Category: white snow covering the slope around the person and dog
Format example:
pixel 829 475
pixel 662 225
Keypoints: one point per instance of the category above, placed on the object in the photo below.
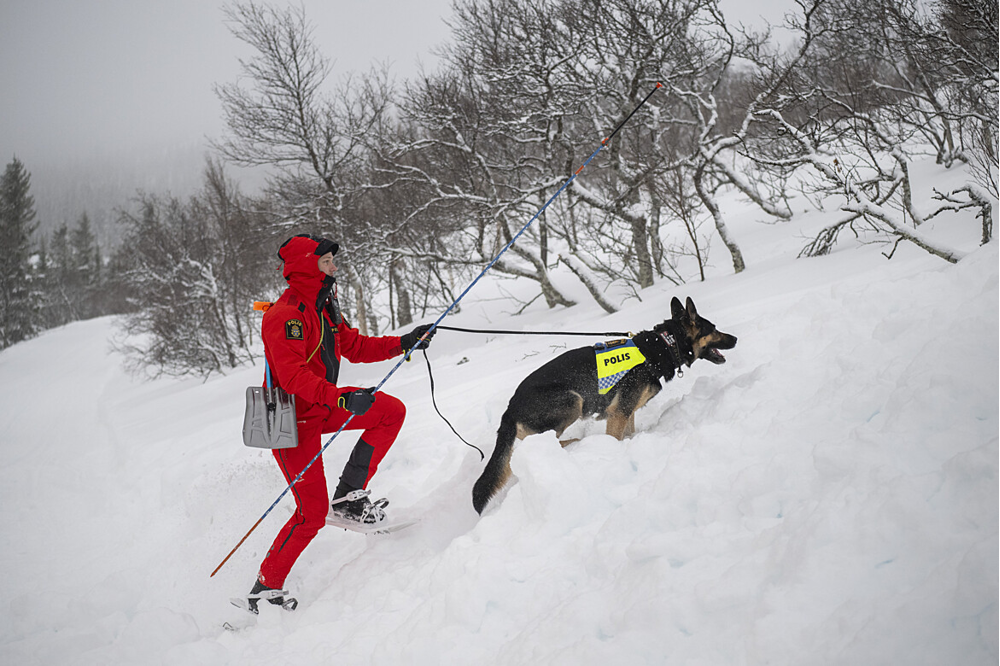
pixel 829 496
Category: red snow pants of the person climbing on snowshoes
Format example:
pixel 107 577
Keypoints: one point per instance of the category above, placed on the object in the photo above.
pixel 381 423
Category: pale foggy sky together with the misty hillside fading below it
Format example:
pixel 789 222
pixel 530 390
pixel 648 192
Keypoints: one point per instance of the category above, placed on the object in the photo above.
pixel 103 98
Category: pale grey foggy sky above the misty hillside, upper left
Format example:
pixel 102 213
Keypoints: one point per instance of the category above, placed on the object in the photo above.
pixel 82 79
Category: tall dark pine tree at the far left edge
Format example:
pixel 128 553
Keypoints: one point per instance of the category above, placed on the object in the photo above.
pixel 18 319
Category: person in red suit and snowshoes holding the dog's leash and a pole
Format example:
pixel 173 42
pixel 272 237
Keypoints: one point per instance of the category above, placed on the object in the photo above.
pixel 305 336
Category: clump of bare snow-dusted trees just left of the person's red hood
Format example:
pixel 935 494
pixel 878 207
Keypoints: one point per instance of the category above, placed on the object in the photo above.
pixel 192 270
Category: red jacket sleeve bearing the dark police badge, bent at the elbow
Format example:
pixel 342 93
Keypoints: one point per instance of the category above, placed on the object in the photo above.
pixel 287 354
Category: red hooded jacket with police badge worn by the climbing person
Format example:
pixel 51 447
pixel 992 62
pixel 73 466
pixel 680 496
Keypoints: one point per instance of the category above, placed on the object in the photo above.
pixel 302 345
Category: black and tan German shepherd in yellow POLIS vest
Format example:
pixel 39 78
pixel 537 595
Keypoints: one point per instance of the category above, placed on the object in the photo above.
pixel 565 389
